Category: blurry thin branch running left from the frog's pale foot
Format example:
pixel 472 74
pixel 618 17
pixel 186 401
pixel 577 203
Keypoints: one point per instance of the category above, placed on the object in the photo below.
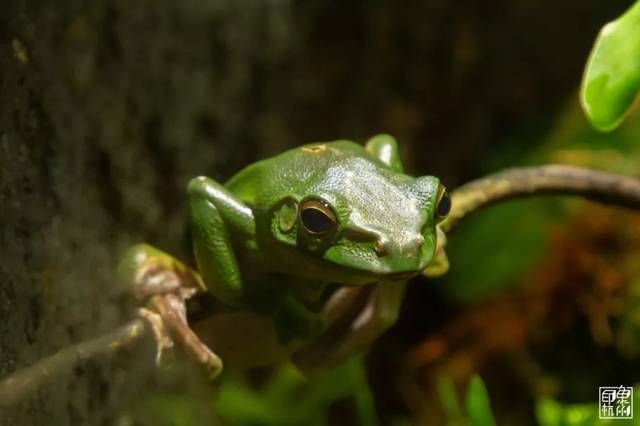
pixel 22 383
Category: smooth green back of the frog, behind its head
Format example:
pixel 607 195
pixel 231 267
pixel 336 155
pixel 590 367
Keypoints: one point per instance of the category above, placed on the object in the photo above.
pixel 292 169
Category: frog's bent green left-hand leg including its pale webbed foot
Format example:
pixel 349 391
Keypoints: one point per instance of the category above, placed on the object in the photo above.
pixel 166 283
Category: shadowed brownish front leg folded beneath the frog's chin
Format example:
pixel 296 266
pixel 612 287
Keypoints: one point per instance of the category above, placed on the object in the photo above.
pixel 380 311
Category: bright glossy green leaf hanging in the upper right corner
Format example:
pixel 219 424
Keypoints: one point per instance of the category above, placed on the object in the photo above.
pixel 612 75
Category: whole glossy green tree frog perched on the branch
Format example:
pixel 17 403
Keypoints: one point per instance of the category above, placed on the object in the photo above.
pixel 288 247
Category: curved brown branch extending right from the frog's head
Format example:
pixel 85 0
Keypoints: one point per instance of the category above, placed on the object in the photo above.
pixel 549 179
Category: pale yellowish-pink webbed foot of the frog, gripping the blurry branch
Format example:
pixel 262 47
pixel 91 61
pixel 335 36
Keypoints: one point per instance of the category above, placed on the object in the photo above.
pixel 165 284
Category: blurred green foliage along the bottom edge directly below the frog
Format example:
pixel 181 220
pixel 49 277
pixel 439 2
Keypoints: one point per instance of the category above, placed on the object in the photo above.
pixel 283 397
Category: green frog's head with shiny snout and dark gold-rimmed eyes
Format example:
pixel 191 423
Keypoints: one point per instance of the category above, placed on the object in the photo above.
pixel 366 220
